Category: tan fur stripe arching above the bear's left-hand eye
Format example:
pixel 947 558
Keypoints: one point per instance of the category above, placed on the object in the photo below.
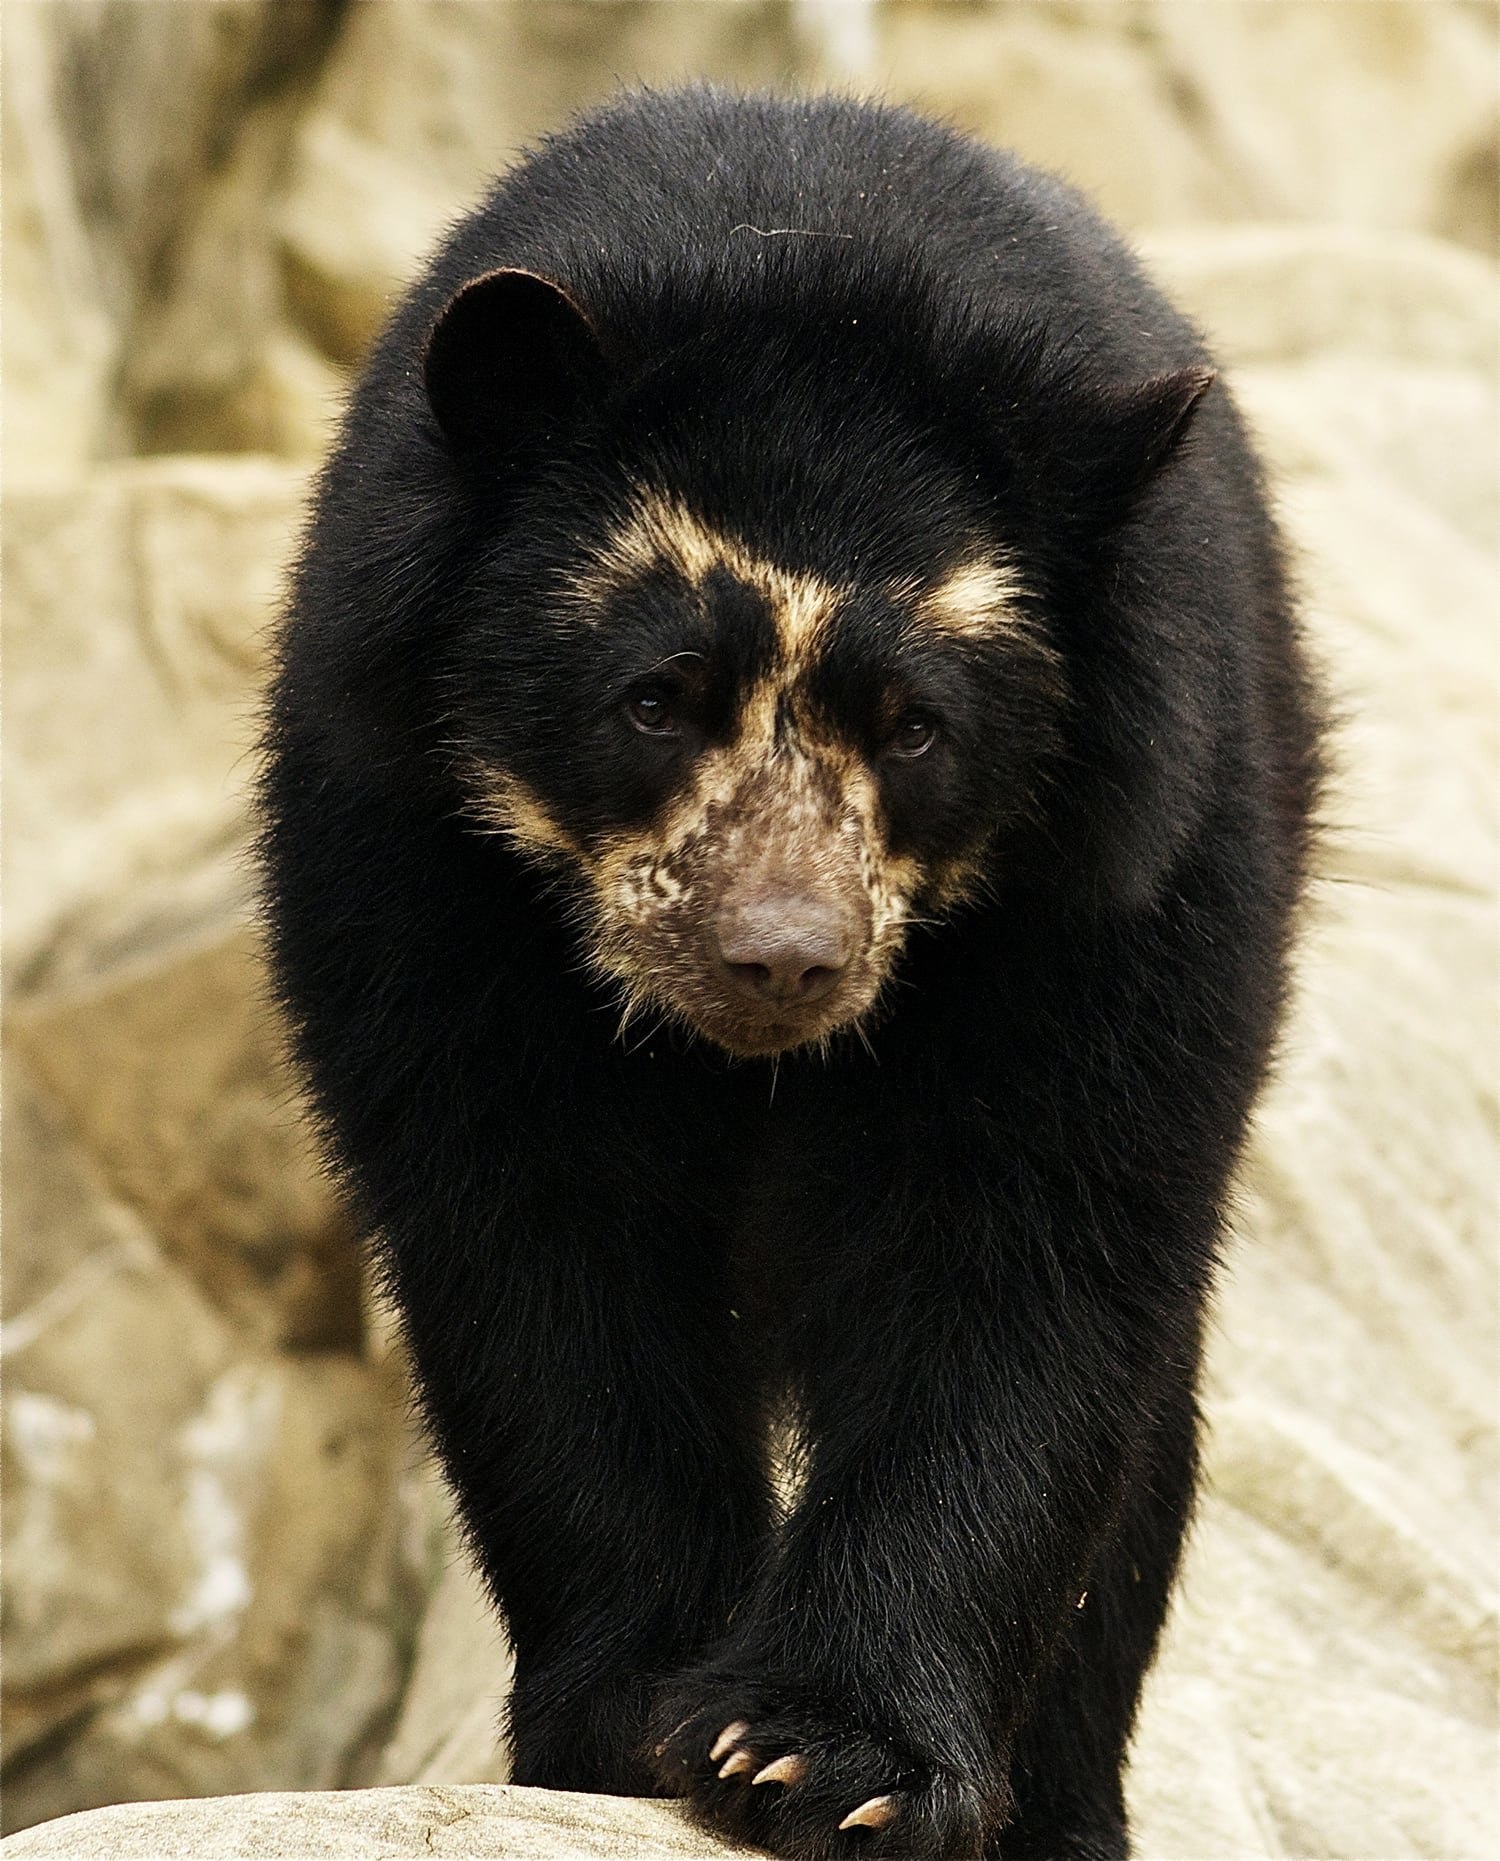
pixel 663 533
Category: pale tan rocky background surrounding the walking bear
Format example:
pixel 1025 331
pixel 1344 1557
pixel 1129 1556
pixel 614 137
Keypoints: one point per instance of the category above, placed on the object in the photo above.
pixel 226 1566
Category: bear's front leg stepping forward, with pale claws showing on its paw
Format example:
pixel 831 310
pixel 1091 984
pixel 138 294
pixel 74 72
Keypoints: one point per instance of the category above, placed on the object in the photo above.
pixel 980 1406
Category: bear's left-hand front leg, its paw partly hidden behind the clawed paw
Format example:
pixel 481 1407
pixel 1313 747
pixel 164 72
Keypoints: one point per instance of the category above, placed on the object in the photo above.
pixel 578 1365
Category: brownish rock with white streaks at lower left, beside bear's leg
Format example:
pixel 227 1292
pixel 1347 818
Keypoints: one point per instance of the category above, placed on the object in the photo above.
pixel 208 1570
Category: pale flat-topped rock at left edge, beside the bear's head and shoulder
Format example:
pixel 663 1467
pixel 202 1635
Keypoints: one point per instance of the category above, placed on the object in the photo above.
pixel 137 602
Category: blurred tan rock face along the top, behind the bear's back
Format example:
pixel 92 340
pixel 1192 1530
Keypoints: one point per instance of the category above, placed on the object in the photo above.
pixel 209 206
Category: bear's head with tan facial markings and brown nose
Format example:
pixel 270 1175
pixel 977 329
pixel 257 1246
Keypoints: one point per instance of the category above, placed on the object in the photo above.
pixel 745 660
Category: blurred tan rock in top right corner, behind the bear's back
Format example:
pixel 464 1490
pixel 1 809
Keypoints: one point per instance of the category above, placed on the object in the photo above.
pixel 1365 116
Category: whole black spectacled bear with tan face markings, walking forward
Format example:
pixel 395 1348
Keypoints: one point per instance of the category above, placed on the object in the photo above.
pixel 786 790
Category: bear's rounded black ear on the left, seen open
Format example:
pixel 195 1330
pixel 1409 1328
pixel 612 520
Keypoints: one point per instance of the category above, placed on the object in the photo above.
pixel 507 353
